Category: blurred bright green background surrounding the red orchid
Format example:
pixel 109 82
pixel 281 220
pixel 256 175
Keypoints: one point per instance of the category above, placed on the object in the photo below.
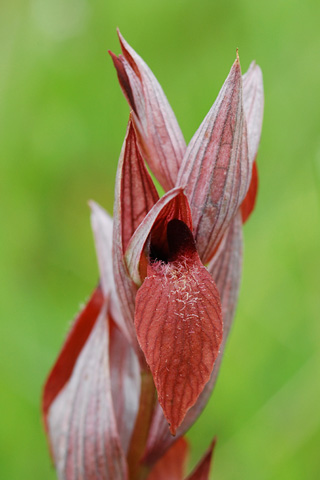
pixel 63 119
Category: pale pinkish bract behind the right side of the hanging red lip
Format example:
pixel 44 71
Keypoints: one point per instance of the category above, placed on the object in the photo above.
pixel 225 269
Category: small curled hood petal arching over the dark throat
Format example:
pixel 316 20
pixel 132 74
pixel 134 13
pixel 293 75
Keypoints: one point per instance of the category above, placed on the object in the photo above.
pixel 173 205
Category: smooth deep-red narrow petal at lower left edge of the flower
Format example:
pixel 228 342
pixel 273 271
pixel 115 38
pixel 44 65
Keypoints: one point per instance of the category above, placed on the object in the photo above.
pixel 71 349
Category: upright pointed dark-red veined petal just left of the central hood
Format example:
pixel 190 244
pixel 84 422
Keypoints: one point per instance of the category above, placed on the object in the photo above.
pixel 135 194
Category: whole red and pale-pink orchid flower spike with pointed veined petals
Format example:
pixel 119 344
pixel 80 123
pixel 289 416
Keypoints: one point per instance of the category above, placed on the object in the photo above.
pixel 142 357
